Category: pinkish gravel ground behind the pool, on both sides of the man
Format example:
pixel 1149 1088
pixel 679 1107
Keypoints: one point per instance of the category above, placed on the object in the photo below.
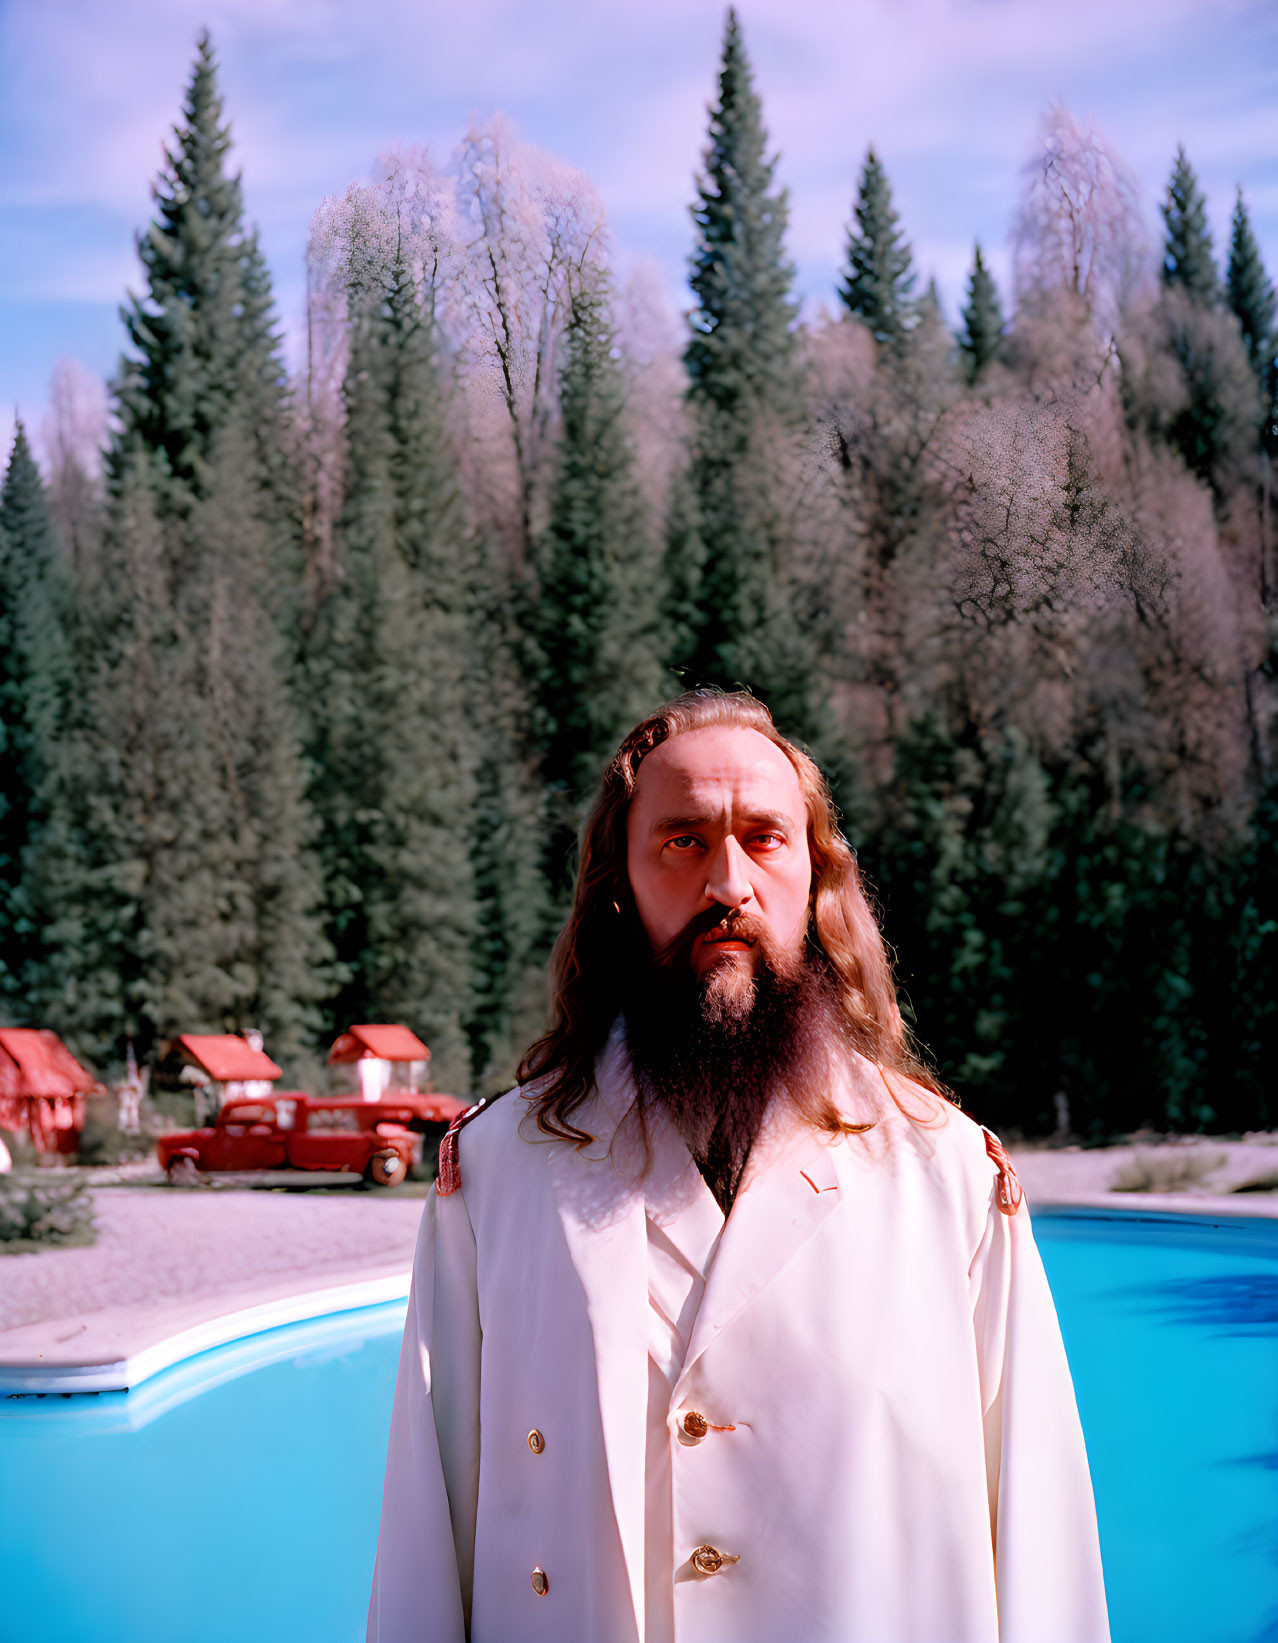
pixel 162 1246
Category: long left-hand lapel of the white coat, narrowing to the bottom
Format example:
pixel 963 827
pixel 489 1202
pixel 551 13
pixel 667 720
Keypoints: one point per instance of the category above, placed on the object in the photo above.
pixel 602 1208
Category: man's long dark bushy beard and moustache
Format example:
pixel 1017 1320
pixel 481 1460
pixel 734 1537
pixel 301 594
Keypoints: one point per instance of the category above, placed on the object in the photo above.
pixel 715 1051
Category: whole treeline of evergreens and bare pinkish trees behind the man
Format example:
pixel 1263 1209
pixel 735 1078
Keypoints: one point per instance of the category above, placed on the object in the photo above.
pixel 303 699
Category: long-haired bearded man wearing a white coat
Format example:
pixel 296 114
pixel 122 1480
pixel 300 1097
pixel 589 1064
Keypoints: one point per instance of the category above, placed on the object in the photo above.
pixel 727 1327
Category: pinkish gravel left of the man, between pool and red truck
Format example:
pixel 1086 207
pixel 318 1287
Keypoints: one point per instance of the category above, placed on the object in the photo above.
pixel 157 1246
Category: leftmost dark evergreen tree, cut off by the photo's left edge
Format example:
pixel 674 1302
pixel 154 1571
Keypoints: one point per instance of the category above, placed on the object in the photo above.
pixel 35 693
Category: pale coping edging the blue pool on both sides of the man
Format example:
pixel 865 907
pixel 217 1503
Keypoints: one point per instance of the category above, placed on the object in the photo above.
pixel 122 1346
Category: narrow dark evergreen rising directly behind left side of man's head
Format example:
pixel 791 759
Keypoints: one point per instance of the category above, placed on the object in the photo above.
pixel 592 624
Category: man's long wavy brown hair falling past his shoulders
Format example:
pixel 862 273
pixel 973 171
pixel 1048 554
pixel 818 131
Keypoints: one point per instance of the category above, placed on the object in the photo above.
pixel 587 972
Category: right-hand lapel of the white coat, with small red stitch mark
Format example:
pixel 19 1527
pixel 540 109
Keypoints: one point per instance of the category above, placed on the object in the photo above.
pixel 788 1194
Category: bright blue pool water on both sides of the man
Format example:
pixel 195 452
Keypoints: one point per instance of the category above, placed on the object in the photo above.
pixel 236 1499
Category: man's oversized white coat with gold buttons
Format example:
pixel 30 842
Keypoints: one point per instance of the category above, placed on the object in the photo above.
pixel 904 1461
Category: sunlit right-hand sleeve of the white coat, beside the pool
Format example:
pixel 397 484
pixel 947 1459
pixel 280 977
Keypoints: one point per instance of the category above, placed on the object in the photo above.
pixel 1047 1555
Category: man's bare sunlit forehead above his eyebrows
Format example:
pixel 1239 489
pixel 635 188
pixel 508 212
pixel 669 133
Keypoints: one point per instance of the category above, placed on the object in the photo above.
pixel 720 766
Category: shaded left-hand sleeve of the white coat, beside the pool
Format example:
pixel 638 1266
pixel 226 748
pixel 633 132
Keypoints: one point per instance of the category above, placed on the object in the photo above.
pixel 426 1545
